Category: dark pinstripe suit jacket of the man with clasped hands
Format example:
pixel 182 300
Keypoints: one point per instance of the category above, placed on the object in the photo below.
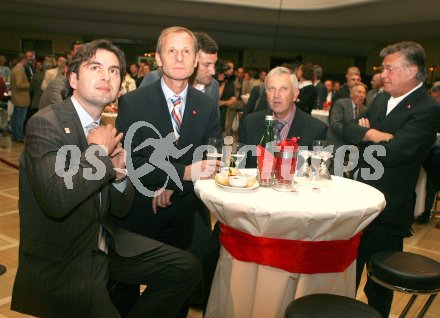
pixel 59 226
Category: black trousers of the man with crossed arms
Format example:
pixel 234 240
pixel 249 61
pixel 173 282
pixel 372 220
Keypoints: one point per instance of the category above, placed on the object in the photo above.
pixel 380 298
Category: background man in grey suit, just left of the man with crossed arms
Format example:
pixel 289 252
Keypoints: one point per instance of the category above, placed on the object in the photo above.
pixel 343 112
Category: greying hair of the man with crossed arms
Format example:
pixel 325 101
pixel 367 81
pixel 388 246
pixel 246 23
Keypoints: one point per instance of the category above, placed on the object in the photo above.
pixel 413 53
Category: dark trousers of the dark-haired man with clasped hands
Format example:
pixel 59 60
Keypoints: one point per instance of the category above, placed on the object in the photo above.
pixel 171 275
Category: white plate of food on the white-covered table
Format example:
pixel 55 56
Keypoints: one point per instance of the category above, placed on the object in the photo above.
pixel 242 181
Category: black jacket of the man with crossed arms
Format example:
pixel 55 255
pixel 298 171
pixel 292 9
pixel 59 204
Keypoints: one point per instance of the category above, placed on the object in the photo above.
pixel 414 123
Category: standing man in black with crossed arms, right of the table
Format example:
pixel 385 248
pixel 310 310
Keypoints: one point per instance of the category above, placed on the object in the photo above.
pixel 404 122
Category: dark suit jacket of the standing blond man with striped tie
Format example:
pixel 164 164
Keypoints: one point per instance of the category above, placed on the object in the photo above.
pixel 200 122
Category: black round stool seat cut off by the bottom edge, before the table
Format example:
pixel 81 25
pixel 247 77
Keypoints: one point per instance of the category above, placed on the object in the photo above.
pixel 329 306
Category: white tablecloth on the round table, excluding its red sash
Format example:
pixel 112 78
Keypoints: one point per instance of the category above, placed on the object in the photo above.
pixel 245 289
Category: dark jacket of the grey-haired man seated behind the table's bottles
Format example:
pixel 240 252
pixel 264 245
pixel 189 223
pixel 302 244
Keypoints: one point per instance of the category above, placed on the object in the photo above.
pixel 304 126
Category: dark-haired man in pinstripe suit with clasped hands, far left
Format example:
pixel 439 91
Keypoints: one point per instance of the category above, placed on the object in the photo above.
pixel 68 251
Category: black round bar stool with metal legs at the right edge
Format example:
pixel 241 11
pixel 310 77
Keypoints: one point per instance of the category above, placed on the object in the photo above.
pixel 408 273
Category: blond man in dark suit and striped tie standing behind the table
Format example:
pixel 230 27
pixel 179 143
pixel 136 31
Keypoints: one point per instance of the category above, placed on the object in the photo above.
pixel 168 214
